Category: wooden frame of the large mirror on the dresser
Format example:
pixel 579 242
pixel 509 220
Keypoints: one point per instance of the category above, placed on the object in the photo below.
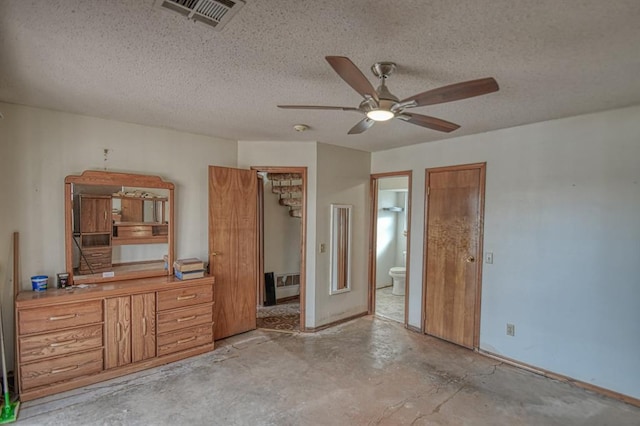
pixel 96 177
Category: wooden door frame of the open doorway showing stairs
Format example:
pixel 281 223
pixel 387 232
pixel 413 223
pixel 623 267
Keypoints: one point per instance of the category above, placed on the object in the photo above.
pixel 303 236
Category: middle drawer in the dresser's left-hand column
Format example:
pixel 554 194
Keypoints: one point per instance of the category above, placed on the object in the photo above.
pixel 33 348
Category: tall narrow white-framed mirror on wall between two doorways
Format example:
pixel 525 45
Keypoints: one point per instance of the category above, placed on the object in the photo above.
pixel 340 248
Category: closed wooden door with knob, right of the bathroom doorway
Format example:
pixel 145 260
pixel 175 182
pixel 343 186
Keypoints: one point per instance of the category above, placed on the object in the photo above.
pixel 453 253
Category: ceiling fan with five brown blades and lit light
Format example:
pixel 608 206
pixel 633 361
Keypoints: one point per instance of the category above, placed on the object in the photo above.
pixel 382 105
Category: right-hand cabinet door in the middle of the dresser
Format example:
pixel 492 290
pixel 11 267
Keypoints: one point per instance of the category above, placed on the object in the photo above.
pixel 143 326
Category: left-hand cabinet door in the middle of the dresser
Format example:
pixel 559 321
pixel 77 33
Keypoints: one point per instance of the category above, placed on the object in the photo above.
pixel 117 332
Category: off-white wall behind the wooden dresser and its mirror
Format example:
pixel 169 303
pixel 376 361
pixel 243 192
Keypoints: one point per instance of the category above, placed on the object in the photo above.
pixel 39 147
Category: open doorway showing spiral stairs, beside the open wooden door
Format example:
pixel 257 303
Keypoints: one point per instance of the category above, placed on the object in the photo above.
pixel 282 242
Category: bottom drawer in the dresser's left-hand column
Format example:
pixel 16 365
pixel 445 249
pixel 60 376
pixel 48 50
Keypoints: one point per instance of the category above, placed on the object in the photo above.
pixel 60 369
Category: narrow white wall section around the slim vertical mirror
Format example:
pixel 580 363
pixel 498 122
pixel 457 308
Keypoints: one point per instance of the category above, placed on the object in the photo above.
pixel 343 178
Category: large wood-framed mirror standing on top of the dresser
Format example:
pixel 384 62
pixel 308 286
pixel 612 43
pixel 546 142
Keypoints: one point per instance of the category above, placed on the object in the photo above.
pixel 118 226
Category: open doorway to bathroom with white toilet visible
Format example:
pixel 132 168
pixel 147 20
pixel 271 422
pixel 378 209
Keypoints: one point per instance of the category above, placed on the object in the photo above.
pixel 390 236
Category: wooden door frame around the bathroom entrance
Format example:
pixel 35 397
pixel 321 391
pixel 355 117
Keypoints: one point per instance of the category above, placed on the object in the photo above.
pixel 373 236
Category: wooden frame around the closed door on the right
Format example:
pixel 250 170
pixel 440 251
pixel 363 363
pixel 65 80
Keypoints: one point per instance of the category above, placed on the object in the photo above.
pixel 483 172
